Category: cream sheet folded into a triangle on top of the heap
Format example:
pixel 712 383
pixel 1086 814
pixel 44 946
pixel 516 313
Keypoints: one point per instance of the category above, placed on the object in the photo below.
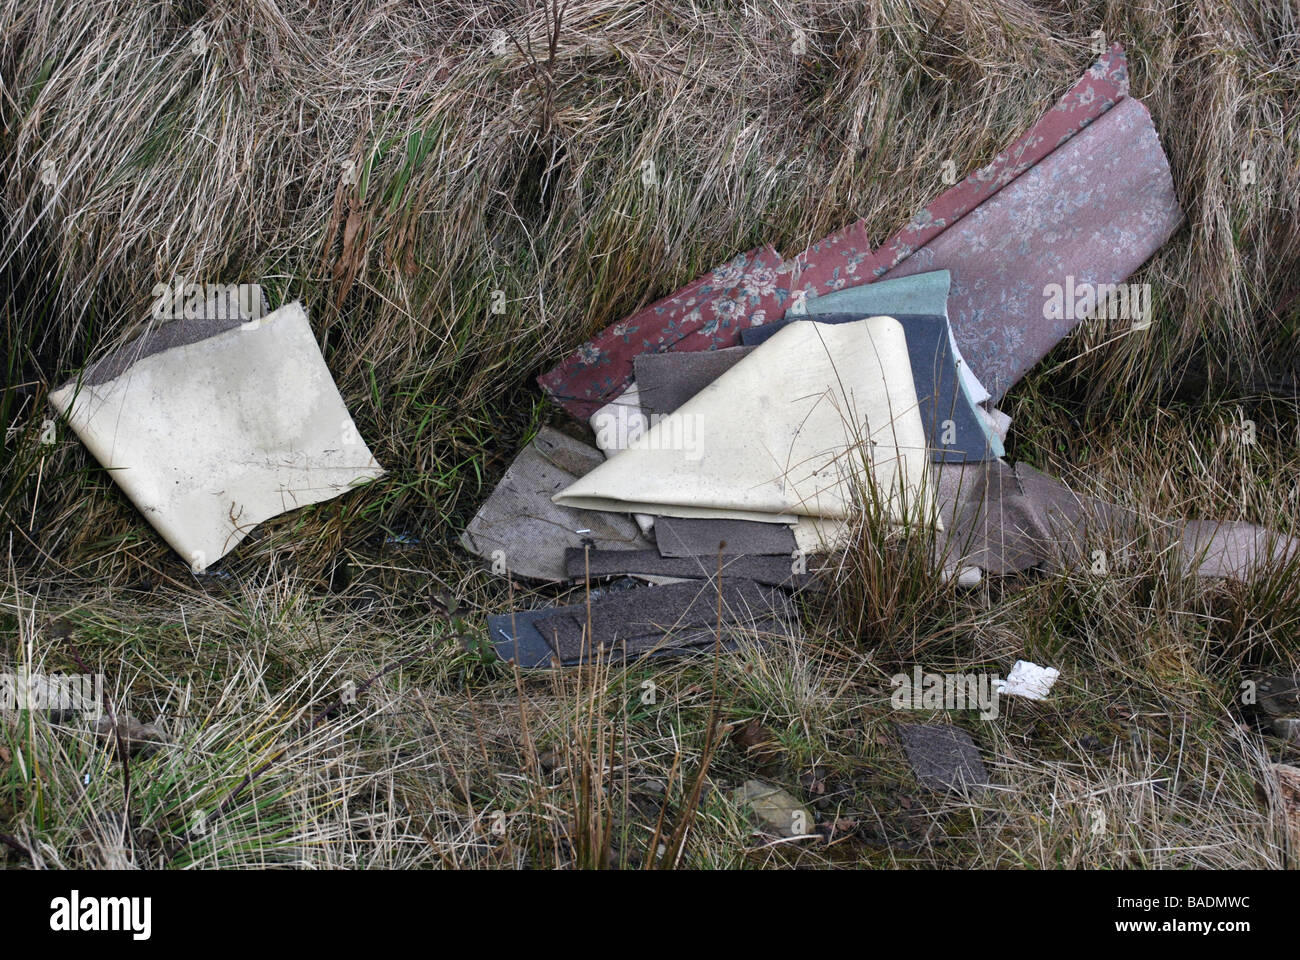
pixel 787 433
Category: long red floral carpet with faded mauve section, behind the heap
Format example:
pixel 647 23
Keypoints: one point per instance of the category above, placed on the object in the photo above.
pixel 1095 213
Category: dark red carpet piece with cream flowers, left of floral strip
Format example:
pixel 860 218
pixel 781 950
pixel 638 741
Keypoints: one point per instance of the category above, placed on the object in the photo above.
pixel 705 315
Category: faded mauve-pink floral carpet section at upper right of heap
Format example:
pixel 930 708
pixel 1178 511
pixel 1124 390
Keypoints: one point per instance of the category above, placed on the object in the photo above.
pixel 1085 217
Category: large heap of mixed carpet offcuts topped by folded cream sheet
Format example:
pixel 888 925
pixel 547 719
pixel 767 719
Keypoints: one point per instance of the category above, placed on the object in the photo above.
pixel 746 422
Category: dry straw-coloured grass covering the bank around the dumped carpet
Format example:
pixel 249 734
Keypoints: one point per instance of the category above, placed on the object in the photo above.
pixel 213 141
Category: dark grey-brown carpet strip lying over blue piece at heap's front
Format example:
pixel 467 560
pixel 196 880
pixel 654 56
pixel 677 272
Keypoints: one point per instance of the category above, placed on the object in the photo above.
pixel 662 619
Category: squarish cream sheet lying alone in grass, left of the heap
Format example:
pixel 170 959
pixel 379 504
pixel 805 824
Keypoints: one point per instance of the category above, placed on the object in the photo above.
pixel 214 426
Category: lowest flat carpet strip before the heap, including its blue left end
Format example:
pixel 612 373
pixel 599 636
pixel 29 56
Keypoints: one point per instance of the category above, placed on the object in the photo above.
pixel 678 620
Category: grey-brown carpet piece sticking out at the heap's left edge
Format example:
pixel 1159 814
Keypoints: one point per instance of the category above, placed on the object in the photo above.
pixel 525 534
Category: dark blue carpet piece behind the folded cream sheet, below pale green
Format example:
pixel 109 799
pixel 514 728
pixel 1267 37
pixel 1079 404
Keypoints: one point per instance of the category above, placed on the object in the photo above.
pixel 954 427
